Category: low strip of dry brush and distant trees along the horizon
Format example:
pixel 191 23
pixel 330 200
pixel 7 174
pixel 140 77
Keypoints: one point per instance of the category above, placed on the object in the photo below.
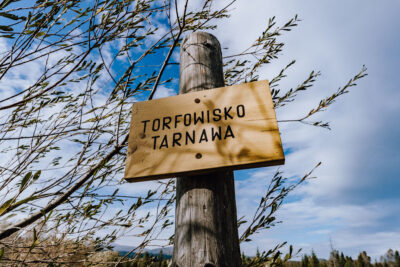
pixel 87 254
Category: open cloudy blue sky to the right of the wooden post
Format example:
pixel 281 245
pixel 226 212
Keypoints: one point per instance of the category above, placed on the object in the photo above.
pixel 354 204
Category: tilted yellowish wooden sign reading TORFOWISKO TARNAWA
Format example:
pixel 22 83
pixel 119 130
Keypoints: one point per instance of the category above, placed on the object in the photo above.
pixel 230 127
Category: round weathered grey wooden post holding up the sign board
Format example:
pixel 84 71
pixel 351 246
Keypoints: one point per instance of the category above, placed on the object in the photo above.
pixel 205 222
